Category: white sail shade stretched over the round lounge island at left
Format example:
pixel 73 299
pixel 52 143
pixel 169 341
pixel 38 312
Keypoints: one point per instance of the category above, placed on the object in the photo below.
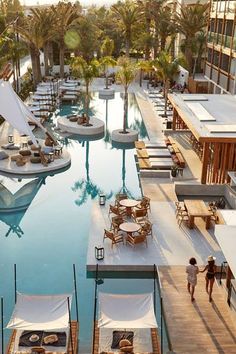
pixel 14 111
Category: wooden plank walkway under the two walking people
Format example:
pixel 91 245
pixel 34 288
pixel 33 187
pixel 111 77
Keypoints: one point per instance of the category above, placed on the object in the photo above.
pixel 199 327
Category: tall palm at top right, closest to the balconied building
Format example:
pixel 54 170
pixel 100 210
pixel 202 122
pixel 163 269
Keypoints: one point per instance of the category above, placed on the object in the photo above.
pixel 191 20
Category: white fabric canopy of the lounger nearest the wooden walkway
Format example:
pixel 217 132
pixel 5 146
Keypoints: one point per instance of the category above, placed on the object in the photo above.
pixel 126 311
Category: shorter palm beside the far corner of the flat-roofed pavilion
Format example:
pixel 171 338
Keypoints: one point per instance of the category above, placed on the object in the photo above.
pixel 166 68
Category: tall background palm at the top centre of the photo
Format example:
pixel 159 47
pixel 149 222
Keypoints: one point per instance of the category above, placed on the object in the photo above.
pixel 127 15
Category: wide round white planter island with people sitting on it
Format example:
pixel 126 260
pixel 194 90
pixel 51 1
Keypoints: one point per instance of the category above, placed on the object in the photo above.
pixel 96 127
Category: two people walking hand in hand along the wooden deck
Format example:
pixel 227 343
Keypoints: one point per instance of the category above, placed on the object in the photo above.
pixel 192 270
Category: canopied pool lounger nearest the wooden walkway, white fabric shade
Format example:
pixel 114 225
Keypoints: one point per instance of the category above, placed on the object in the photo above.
pixel 131 313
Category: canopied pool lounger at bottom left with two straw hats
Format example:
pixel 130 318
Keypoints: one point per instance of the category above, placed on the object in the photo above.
pixel 42 315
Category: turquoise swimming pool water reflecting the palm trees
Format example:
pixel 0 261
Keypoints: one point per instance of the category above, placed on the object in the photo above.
pixel 51 231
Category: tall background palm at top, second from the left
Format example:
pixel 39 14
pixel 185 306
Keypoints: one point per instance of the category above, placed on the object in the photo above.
pixel 66 14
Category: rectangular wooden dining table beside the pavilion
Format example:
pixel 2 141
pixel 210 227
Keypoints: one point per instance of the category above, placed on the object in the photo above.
pixel 197 208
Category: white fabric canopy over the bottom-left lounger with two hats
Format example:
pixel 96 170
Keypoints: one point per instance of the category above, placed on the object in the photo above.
pixel 40 312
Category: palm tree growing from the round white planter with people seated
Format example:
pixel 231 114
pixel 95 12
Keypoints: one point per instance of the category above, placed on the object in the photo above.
pixel 87 71
